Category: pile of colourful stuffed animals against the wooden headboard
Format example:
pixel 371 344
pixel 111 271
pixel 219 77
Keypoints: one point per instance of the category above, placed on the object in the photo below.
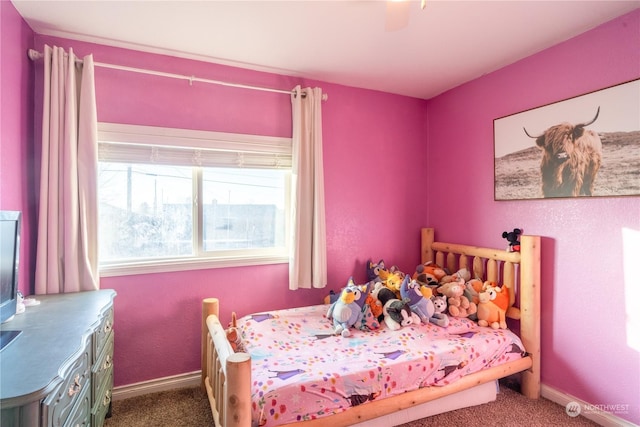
pixel 431 295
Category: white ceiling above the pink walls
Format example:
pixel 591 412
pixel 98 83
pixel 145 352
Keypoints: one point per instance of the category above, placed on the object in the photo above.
pixel 447 43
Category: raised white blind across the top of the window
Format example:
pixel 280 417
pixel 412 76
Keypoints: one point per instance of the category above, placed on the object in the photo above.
pixel 166 146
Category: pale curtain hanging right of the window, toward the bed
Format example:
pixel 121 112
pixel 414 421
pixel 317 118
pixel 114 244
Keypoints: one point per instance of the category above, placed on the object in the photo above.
pixel 308 260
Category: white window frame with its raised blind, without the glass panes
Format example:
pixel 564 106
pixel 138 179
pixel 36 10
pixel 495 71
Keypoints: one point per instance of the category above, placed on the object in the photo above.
pixel 153 137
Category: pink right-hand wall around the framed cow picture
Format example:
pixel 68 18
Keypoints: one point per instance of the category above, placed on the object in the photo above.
pixel 585 350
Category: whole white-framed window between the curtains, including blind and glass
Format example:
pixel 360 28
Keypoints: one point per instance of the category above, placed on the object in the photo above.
pixel 174 199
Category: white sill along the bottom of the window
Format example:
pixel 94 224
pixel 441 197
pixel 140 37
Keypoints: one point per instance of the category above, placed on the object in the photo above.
pixel 172 265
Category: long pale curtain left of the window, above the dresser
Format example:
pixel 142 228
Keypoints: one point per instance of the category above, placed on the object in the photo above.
pixel 67 248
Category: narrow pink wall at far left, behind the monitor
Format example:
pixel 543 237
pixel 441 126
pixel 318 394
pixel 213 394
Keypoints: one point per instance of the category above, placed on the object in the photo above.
pixel 16 133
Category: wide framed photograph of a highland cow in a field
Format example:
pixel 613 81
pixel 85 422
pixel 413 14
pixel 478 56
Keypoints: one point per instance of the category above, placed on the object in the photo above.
pixel 585 146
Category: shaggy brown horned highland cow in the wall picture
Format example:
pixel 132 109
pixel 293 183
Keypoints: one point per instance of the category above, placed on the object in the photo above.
pixel 571 158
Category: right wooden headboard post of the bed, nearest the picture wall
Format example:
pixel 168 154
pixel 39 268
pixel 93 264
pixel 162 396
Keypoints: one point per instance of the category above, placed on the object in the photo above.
pixel 530 311
